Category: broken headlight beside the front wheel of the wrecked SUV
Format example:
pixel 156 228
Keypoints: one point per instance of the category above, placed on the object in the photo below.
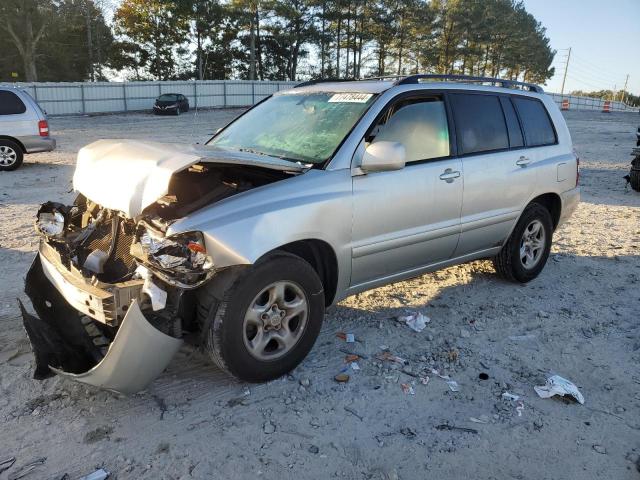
pixel 183 253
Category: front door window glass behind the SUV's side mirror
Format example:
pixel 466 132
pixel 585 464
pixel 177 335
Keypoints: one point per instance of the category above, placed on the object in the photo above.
pixel 420 125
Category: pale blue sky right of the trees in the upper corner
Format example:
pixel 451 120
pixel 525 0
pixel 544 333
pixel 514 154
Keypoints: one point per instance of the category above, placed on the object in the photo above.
pixel 604 37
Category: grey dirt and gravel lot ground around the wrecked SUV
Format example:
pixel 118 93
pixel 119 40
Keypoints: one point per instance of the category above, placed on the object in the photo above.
pixel 579 319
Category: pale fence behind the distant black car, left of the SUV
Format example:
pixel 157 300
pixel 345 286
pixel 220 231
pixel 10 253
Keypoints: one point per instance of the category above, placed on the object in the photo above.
pixel 75 98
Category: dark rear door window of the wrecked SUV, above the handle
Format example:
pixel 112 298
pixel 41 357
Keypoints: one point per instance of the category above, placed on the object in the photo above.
pixel 480 124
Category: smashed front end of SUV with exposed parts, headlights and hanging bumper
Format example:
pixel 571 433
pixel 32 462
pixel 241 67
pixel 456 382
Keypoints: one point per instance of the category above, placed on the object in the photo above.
pixel 108 291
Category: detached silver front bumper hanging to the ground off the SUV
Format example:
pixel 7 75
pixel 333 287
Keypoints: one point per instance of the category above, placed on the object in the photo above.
pixel 138 353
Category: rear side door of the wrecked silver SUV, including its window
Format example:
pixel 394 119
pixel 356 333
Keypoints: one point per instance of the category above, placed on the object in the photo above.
pixel 498 178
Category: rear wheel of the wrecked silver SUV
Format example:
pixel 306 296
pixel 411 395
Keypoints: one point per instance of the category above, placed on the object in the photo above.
pixel 510 264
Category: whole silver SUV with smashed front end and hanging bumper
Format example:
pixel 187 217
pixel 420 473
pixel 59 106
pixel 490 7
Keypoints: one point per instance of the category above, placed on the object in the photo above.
pixel 317 193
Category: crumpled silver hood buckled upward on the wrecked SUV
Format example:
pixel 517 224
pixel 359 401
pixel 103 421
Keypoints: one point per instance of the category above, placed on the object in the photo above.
pixel 130 175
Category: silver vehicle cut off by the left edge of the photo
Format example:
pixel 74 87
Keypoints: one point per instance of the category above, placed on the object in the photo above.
pixel 23 128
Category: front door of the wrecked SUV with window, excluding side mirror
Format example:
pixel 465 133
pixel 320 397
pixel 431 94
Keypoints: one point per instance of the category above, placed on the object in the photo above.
pixel 405 220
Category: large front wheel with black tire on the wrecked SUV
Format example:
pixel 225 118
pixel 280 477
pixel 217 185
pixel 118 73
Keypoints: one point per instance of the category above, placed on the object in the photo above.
pixel 230 329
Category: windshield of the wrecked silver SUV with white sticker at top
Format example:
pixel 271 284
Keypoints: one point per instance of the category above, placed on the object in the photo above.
pixel 298 127
